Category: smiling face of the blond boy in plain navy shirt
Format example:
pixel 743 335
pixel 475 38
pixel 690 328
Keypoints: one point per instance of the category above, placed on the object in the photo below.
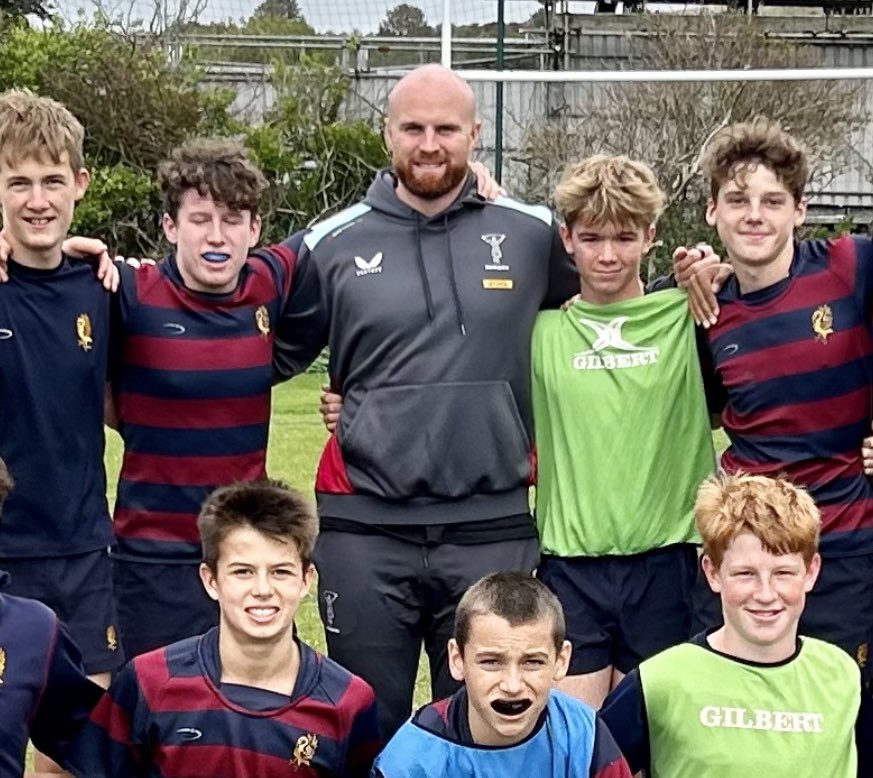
pixel 37 200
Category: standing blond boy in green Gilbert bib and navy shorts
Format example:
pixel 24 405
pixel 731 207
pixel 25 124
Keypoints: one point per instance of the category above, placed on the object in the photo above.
pixel 617 540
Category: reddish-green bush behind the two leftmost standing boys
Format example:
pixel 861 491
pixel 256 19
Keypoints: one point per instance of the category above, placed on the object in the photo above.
pixel 134 106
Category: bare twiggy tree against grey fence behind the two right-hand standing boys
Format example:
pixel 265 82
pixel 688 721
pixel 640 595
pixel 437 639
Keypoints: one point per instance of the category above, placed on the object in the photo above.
pixel 668 125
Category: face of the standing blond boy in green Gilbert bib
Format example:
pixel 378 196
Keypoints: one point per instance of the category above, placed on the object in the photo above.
pixel 608 259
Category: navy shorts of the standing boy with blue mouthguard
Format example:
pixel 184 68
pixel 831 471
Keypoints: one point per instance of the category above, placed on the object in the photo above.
pixel 159 604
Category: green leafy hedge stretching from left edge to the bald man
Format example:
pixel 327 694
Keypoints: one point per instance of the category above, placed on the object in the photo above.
pixel 136 106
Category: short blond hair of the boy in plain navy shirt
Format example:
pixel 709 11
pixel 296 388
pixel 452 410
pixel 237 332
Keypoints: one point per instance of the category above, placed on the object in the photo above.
pixel 38 128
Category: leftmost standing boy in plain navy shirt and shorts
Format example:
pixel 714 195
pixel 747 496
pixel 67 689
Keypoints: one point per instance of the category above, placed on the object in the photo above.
pixel 54 340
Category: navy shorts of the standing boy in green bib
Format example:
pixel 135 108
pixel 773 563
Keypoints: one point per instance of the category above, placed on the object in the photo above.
pixel 621 610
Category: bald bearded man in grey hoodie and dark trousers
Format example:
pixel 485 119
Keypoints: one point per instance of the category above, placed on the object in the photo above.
pixel 432 294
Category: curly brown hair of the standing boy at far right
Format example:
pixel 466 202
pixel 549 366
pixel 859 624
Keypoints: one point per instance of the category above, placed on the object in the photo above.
pixel 739 148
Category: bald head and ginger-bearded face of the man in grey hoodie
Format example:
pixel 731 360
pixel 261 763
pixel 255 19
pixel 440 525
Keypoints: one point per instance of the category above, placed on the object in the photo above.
pixel 430 132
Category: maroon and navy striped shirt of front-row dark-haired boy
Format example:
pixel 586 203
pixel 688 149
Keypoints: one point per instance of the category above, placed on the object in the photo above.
pixel 168 715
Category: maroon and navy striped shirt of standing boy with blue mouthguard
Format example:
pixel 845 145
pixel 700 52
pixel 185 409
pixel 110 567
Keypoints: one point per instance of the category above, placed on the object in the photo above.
pixel 191 380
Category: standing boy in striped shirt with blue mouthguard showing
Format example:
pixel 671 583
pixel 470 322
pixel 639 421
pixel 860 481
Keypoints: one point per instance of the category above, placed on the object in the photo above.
pixel 193 343
